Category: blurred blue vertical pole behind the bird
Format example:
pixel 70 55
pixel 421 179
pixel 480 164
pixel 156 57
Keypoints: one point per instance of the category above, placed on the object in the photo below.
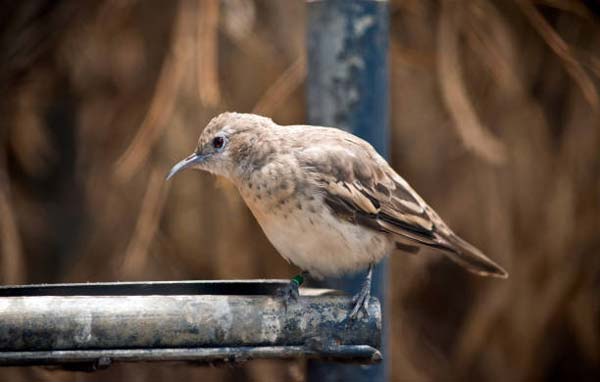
pixel 348 88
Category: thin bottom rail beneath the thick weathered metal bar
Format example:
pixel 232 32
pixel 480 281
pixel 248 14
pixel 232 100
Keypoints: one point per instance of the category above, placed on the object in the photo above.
pixel 97 359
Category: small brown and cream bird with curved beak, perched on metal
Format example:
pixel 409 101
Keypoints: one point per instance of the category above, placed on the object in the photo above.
pixel 325 199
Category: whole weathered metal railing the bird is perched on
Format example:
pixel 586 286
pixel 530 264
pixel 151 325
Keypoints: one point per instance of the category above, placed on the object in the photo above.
pixel 92 325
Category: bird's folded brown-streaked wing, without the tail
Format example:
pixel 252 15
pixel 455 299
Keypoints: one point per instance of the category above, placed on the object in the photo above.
pixel 360 187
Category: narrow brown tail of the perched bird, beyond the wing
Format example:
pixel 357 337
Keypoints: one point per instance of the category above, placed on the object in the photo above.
pixel 471 258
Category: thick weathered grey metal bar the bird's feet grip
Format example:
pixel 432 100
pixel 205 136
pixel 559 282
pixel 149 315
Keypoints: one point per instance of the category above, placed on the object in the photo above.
pixel 100 322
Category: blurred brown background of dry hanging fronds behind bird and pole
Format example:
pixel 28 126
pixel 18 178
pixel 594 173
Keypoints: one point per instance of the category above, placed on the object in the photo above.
pixel 494 116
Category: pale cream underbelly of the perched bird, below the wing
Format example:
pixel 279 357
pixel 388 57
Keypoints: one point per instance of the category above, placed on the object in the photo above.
pixel 323 245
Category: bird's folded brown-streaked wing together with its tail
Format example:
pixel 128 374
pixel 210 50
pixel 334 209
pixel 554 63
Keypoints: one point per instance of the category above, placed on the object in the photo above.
pixel 360 187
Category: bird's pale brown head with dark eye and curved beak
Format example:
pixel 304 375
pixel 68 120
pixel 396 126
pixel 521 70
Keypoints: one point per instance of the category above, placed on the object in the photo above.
pixel 225 144
